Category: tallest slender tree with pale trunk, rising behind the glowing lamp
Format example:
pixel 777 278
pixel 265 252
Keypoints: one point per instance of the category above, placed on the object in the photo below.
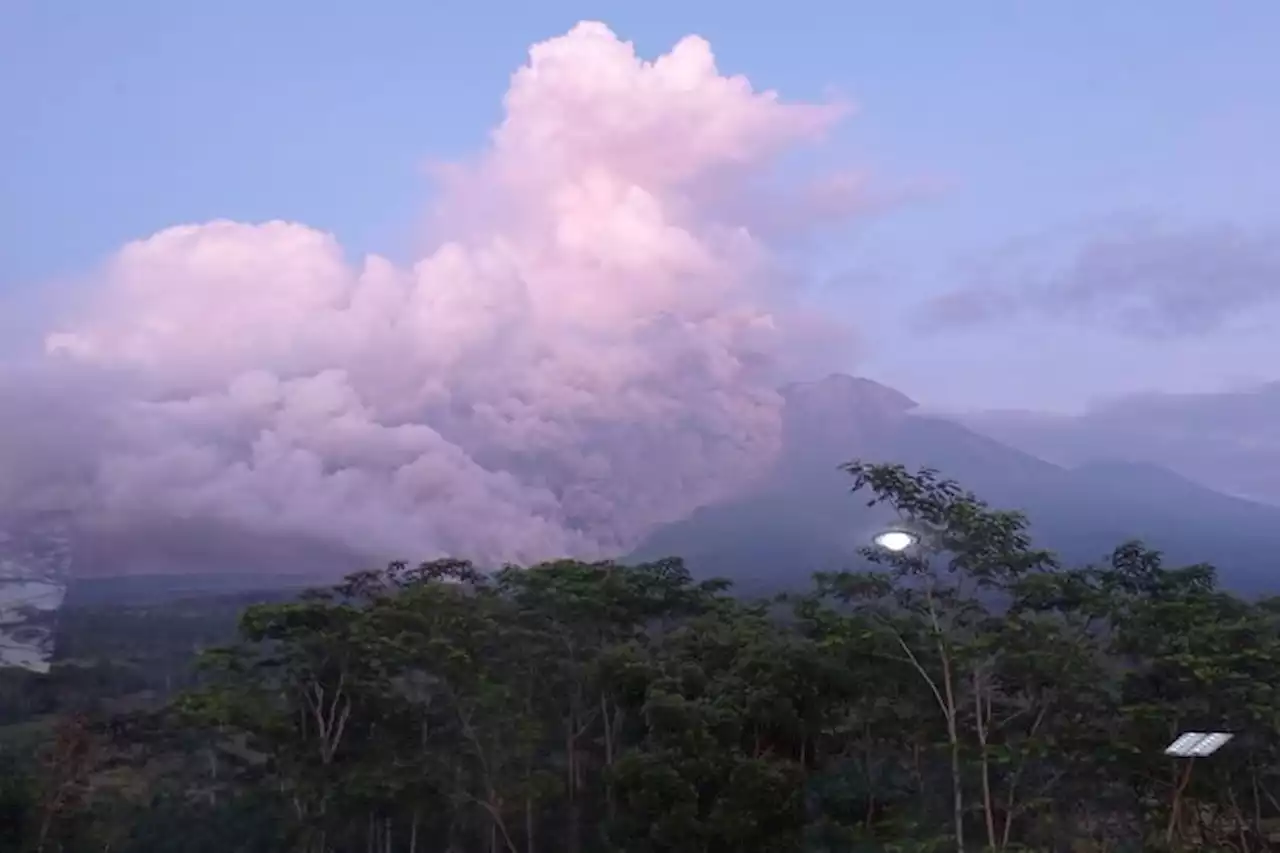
pixel 930 608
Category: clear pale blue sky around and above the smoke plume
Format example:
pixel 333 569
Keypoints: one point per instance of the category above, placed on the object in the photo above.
pixel 1036 121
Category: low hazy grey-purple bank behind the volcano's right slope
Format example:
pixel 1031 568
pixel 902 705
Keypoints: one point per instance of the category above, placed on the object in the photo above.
pixel 1227 441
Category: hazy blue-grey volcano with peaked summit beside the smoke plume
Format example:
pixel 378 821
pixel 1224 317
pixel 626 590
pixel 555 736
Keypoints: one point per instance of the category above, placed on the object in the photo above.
pixel 802 519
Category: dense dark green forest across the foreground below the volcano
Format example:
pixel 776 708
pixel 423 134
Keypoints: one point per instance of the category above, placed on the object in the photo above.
pixel 967 694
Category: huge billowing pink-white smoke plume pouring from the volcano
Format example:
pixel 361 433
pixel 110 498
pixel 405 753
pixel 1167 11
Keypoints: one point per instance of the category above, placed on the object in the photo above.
pixel 592 349
